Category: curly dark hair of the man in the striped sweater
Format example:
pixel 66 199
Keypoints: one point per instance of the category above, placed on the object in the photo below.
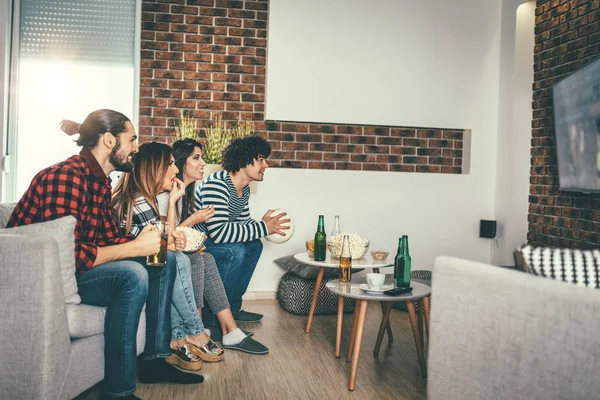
pixel 243 151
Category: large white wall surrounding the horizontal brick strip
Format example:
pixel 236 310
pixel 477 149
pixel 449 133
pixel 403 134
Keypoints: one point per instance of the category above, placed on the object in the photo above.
pixel 430 63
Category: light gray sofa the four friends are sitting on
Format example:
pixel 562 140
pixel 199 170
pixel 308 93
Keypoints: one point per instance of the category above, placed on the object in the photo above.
pixel 48 349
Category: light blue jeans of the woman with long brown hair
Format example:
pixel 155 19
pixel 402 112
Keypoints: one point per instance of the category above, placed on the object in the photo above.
pixel 185 319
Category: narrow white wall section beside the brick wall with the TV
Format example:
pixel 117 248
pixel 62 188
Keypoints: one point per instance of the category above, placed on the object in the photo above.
pixel 514 138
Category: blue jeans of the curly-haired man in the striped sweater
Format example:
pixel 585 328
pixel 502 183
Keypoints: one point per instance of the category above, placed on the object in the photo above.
pixel 236 263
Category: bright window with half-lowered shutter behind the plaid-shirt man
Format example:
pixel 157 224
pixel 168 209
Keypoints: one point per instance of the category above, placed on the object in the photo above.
pixel 69 57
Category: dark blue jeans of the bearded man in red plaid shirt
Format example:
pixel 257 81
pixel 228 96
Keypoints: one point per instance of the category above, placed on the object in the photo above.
pixel 123 287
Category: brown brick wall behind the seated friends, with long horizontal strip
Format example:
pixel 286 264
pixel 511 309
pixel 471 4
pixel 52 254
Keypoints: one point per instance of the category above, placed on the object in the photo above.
pixel 208 56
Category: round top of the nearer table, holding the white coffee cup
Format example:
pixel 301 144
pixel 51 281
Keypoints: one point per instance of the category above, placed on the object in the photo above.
pixel 352 290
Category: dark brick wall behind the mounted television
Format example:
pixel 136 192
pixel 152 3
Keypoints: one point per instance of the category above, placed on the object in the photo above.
pixel 567 37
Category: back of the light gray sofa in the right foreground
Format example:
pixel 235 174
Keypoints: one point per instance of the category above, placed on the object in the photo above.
pixel 503 334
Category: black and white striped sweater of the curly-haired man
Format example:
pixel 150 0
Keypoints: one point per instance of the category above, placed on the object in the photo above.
pixel 231 222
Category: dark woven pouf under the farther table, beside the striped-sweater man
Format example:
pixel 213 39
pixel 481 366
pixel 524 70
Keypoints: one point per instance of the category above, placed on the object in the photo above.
pixel 295 295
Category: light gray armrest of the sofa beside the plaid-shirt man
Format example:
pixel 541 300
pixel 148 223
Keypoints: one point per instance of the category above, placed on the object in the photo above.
pixel 34 336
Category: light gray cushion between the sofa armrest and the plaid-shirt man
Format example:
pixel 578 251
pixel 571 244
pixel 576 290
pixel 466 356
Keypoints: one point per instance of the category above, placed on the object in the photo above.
pixel 61 229
